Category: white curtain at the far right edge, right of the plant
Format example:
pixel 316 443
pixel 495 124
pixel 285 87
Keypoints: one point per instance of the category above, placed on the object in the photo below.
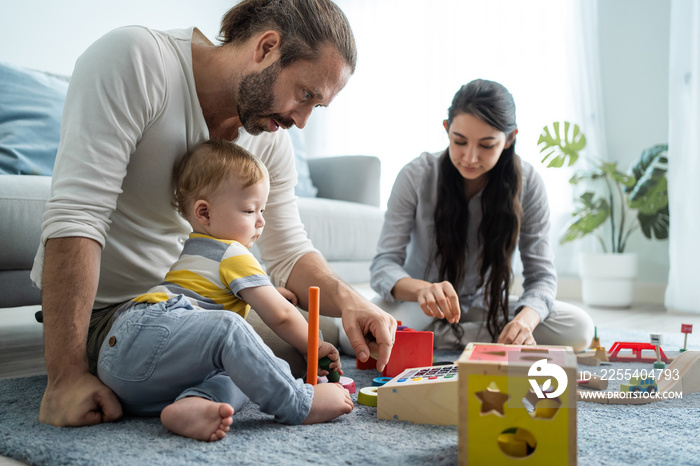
pixel 683 292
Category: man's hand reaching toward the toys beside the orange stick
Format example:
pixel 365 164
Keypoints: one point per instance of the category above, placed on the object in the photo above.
pixel 371 332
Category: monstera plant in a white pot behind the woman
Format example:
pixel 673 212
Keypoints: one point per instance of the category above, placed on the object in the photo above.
pixel 612 207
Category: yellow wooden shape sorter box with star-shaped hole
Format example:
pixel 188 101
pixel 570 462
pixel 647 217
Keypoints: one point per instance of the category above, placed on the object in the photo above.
pixel 517 404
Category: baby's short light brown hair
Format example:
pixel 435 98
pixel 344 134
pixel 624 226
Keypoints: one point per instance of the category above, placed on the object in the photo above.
pixel 202 171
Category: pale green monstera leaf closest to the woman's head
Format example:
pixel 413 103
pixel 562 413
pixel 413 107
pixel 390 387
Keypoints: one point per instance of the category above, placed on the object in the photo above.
pixel 561 143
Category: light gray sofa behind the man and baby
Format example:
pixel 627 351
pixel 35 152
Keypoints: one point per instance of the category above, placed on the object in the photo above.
pixel 343 222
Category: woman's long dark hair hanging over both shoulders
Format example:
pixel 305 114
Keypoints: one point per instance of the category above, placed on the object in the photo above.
pixel 500 204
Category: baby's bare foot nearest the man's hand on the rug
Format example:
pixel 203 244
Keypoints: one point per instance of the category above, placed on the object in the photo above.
pixel 198 418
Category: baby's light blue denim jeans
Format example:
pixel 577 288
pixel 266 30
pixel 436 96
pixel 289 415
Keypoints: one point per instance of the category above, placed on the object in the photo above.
pixel 157 353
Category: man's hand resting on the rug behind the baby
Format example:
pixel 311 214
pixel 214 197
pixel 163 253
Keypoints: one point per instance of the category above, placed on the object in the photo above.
pixel 79 402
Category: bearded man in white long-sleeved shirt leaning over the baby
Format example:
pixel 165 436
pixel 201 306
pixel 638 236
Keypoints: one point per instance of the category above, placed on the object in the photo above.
pixel 138 101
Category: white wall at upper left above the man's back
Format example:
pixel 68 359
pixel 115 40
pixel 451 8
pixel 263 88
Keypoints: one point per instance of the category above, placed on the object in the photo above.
pixel 50 34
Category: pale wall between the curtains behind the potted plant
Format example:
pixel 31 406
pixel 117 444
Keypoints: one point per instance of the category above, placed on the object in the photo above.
pixel 634 50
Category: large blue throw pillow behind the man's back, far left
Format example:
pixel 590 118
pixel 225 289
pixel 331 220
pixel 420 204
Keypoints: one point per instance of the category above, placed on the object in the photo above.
pixel 31 104
